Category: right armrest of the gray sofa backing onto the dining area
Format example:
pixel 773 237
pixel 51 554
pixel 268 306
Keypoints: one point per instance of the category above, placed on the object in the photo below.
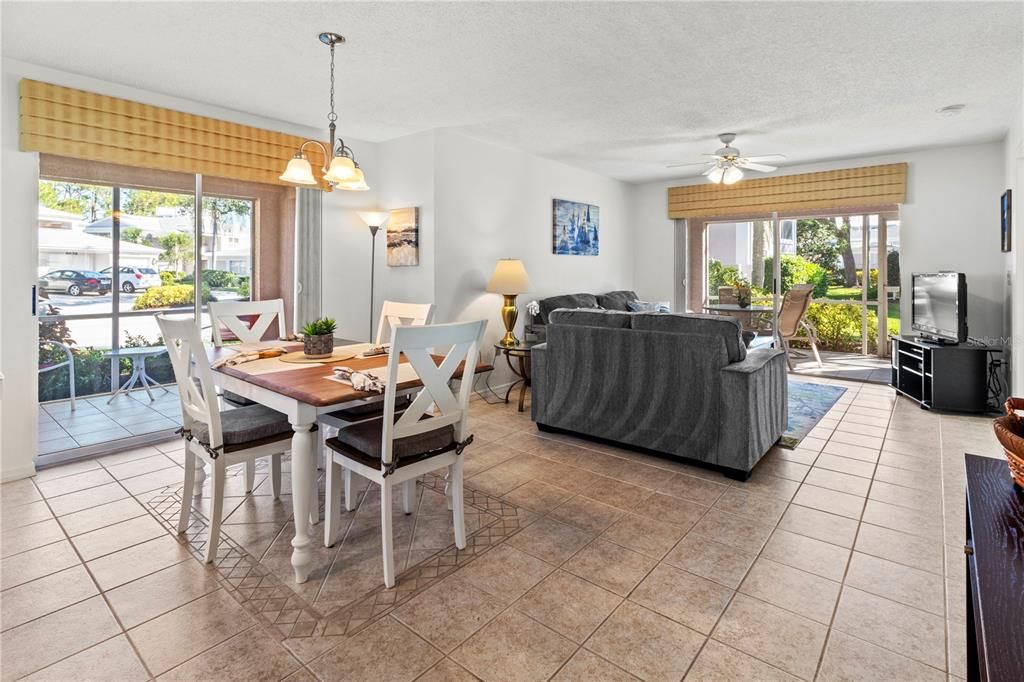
pixel 755 407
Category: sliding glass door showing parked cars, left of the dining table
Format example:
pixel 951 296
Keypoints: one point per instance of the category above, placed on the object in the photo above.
pixel 110 259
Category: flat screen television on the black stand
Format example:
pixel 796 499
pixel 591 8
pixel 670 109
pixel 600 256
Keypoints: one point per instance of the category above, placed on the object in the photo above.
pixel 940 310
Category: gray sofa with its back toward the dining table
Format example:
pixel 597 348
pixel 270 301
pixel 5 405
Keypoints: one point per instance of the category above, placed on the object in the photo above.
pixel 684 386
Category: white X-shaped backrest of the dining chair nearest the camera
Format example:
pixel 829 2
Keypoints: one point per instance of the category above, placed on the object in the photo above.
pixel 436 398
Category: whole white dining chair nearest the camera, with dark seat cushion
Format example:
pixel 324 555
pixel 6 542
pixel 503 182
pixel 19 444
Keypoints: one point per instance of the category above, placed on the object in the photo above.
pixel 397 449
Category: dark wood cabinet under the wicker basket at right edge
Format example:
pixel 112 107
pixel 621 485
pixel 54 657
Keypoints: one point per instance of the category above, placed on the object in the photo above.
pixel 995 555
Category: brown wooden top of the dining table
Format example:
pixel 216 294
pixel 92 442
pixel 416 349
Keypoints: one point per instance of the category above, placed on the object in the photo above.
pixel 307 383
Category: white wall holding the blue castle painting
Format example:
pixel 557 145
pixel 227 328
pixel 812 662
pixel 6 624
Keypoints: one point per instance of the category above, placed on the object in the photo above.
pixel 492 203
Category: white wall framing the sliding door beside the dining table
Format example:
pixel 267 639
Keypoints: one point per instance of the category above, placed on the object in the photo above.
pixel 19 189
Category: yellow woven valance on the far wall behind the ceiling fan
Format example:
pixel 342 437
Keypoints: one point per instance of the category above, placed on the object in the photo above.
pixel 871 186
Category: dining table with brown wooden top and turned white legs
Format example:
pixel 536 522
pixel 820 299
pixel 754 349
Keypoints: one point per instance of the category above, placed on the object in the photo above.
pixel 303 392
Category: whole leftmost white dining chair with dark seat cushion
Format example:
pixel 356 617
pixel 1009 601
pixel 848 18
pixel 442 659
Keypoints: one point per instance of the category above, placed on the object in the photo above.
pixel 220 439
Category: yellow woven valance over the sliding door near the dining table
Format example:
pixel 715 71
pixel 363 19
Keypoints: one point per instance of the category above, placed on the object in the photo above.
pixel 86 125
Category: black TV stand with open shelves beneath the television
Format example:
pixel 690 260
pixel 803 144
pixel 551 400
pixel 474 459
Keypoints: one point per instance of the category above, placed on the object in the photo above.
pixel 942 377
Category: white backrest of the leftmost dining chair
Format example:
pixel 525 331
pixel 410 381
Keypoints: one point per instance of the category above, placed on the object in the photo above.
pixel 193 374
